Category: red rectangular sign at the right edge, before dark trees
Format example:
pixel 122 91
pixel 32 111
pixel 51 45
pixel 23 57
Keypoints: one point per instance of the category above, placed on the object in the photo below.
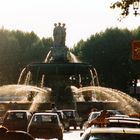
pixel 136 50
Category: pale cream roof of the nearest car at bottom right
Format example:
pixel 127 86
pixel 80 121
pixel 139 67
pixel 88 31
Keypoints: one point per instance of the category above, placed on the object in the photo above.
pixel 115 130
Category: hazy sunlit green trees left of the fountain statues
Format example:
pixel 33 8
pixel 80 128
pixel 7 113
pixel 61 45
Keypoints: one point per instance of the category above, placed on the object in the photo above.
pixel 17 49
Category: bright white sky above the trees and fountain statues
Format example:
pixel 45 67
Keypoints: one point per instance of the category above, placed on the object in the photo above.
pixel 83 18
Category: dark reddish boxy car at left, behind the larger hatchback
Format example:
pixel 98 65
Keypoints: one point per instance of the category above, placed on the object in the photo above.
pixel 16 119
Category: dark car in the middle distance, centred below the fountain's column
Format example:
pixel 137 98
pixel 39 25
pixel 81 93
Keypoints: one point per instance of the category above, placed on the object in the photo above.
pixel 73 118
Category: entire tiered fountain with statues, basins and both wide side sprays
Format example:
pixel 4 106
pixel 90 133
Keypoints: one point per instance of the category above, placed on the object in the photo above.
pixel 64 81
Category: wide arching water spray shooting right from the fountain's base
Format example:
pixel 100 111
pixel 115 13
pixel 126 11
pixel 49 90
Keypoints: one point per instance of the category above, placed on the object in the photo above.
pixel 126 103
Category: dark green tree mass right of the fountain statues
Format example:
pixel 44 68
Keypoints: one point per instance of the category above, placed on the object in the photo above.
pixel 110 53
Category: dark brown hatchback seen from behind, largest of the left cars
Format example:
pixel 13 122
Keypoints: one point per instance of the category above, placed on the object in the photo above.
pixel 45 125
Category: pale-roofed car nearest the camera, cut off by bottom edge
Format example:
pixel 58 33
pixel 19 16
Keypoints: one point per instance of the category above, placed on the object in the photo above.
pixel 110 134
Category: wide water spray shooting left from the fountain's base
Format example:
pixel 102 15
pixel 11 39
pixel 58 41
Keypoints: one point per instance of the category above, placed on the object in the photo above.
pixel 22 93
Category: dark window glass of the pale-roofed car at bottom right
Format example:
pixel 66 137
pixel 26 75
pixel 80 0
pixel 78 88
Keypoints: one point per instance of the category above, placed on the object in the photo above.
pixel 114 137
